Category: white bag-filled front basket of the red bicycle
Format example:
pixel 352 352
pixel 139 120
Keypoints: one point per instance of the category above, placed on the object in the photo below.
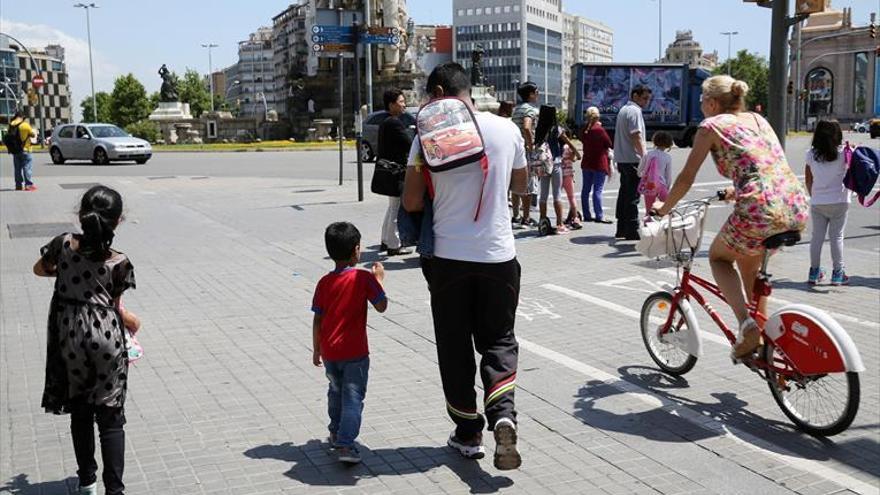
pixel 675 235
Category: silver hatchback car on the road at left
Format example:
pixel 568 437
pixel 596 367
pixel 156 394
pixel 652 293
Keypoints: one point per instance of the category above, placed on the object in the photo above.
pixel 100 143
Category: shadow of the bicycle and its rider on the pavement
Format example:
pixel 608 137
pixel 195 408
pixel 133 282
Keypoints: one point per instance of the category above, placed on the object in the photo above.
pixel 853 447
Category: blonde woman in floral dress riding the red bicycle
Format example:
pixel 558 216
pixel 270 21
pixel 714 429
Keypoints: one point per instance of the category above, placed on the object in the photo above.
pixel 768 197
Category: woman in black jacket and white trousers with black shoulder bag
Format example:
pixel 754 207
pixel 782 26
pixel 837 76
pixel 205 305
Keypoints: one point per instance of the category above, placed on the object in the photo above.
pixel 393 146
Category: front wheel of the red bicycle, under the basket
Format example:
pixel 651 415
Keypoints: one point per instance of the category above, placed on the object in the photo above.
pixel 664 351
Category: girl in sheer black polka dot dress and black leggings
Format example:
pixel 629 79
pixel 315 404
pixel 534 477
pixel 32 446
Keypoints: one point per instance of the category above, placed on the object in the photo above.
pixel 86 360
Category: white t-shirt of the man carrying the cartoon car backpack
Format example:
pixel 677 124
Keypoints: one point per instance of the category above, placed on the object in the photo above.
pixel 457 193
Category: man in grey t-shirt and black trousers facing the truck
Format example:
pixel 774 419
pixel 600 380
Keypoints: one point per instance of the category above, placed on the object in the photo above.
pixel 629 148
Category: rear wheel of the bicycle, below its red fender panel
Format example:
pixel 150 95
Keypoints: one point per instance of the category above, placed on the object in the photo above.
pixel 823 405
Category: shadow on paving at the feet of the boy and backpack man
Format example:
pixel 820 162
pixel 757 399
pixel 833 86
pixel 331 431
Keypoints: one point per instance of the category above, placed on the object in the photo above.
pixel 315 464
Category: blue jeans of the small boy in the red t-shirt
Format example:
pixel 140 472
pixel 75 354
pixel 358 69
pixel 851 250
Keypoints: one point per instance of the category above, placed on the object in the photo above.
pixel 345 397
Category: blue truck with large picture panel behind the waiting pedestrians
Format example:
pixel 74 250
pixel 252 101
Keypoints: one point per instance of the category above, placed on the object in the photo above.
pixel 675 101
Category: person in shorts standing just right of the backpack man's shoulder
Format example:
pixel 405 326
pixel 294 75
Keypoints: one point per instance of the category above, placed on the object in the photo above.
pixel 525 116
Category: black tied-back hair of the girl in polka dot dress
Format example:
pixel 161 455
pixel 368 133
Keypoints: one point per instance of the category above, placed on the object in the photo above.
pixel 100 211
